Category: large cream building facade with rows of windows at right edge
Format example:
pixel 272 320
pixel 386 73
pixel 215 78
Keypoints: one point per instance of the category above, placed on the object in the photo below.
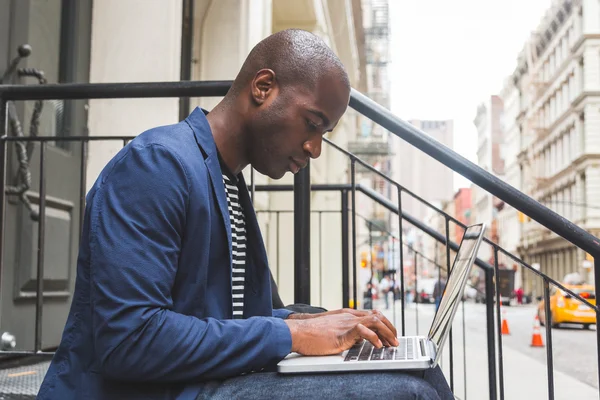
pixel 558 131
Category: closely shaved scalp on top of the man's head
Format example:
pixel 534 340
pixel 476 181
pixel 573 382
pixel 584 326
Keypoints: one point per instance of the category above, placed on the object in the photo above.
pixel 297 57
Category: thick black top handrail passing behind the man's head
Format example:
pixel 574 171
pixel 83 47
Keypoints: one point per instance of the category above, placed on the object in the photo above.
pixel 360 103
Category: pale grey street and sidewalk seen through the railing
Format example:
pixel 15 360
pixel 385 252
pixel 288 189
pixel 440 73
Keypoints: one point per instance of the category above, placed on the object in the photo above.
pixel 525 372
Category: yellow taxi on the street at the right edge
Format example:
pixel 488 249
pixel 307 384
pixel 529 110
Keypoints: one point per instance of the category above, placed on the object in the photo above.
pixel 564 308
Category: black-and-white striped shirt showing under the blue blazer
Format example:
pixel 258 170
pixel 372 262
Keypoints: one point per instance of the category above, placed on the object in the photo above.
pixel 238 246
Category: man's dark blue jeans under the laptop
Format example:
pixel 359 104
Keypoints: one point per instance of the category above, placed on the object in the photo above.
pixel 421 385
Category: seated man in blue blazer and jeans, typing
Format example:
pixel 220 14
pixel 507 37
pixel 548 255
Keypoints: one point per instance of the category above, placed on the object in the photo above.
pixel 173 296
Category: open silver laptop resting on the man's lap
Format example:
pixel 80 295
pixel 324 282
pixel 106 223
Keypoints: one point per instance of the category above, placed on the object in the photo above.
pixel 413 352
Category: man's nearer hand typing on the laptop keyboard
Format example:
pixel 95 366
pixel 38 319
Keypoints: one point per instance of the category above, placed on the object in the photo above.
pixel 336 332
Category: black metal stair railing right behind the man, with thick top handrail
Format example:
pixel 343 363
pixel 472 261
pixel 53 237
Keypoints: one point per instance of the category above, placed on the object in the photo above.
pixel 302 188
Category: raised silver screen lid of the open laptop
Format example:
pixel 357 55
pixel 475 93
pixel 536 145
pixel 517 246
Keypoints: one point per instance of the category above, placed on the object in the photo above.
pixel 455 287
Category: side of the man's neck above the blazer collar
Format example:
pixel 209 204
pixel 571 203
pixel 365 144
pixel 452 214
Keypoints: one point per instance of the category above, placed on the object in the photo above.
pixel 227 128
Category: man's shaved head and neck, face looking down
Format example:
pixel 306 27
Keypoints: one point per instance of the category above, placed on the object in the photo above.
pixel 291 90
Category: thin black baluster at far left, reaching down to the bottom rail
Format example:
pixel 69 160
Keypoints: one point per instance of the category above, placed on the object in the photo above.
pixel 40 253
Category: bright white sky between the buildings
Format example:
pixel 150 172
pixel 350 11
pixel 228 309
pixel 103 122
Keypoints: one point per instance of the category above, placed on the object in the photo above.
pixel 450 55
